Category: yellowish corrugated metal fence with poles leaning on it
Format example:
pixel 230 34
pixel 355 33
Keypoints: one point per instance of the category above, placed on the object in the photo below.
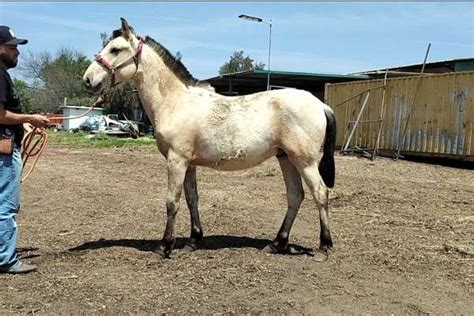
pixel 441 121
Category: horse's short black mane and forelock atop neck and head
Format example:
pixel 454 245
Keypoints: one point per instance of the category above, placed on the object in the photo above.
pixel 174 64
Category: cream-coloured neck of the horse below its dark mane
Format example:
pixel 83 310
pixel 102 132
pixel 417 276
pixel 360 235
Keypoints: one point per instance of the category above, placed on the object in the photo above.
pixel 157 85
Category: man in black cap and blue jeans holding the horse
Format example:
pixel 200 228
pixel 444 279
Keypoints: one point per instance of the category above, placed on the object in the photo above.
pixel 11 123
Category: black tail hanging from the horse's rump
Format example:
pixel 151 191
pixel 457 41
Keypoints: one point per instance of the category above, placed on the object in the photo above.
pixel 327 167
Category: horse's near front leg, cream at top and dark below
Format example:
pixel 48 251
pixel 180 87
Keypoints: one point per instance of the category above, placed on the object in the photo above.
pixel 177 166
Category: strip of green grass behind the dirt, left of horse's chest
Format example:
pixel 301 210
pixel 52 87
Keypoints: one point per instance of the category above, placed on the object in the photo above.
pixel 101 140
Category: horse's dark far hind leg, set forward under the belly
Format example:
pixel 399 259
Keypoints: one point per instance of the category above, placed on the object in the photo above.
pixel 295 196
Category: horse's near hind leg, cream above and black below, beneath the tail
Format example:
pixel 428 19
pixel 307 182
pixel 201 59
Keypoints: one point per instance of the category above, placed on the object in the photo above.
pixel 320 194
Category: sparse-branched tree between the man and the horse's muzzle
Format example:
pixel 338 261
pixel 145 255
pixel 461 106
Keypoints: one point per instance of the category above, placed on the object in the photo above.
pixel 55 78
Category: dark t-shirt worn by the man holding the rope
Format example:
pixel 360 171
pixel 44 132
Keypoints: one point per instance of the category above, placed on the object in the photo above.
pixel 11 102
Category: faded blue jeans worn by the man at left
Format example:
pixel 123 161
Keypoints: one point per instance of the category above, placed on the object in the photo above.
pixel 10 175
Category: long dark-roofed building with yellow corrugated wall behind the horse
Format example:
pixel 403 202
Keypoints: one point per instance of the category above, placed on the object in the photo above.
pixel 430 115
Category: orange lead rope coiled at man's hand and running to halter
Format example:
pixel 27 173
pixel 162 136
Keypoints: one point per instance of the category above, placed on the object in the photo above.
pixel 30 149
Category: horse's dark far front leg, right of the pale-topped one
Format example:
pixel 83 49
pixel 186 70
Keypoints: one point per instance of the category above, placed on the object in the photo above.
pixel 192 198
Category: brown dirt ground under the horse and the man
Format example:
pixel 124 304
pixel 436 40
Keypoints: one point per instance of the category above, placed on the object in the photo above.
pixel 403 234
